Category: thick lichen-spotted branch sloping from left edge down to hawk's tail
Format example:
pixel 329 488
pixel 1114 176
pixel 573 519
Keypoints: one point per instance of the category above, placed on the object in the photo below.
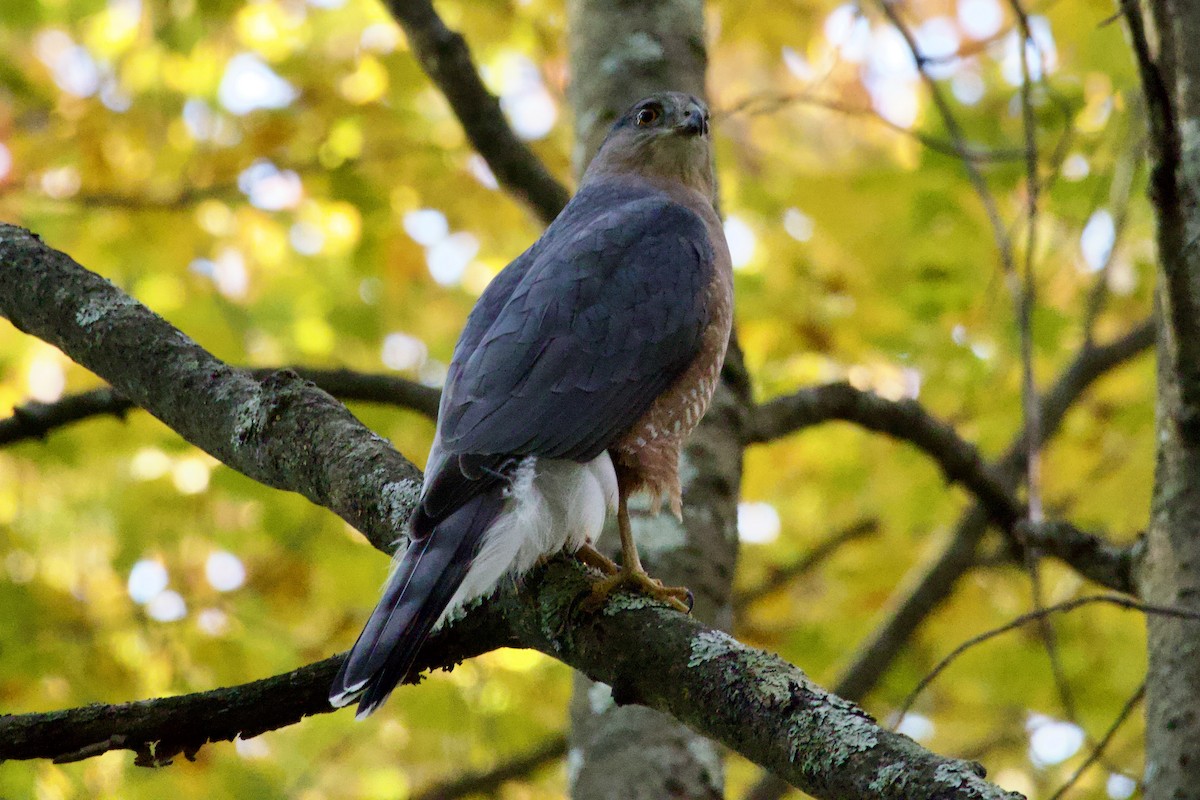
pixel 279 430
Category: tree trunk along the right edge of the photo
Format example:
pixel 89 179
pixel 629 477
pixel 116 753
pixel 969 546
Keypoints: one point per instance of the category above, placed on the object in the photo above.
pixel 1171 75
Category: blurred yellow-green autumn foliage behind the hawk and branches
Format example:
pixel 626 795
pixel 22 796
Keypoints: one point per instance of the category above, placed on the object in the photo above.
pixel 279 179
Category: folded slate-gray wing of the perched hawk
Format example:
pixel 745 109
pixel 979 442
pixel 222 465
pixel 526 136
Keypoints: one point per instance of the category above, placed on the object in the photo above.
pixel 605 314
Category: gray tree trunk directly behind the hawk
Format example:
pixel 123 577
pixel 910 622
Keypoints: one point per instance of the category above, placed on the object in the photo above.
pixel 622 51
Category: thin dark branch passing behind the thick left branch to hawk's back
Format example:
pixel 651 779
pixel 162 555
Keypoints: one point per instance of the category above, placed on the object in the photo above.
pixel 35 420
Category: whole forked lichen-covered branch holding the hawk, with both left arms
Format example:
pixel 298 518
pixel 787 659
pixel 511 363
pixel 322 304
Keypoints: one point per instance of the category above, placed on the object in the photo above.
pixel 292 436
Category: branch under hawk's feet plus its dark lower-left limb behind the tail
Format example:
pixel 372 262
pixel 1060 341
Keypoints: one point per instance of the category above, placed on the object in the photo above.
pixel 751 701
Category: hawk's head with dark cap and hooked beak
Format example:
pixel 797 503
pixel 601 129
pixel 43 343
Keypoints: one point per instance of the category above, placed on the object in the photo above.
pixel 664 137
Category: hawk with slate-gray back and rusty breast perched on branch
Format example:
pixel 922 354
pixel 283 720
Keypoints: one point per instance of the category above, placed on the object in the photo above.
pixel 581 371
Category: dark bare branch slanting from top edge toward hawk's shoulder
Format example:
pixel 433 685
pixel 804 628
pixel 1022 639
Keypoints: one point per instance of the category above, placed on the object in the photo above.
pixel 446 58
